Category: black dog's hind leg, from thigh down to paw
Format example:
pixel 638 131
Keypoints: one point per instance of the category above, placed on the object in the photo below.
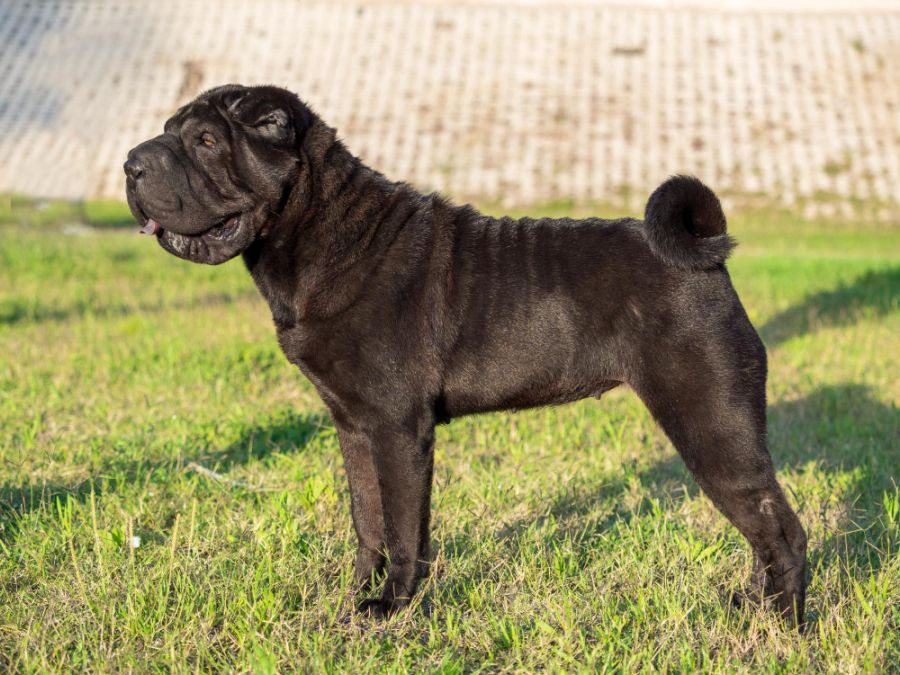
pixel 715 416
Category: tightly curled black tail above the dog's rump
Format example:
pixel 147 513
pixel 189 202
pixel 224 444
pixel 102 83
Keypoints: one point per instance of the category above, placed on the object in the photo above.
pixel 685 225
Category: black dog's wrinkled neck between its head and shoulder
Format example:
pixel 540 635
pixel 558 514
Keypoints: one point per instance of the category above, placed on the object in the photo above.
pixel 314 263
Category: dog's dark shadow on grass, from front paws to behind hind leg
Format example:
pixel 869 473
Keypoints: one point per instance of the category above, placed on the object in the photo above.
pixel 842 431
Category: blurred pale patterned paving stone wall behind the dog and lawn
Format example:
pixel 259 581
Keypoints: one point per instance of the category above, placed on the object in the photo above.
pixel 515 103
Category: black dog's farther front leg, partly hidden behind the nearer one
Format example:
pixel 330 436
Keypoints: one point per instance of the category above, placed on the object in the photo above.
pixel 365 504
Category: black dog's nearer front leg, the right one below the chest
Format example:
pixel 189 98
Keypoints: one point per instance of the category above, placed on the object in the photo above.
pixel 404 462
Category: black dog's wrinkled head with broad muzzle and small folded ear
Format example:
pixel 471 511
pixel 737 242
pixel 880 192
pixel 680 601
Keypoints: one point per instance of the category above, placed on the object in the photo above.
pixel 219 174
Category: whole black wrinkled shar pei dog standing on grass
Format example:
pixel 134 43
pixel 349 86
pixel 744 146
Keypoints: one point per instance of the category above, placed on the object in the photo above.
pixel 406 311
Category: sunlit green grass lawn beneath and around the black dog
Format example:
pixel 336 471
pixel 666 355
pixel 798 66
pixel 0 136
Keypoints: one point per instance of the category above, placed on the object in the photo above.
pixel 566 539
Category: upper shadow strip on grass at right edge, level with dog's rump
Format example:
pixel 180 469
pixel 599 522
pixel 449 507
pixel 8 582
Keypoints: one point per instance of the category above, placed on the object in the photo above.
pixel 875 293
